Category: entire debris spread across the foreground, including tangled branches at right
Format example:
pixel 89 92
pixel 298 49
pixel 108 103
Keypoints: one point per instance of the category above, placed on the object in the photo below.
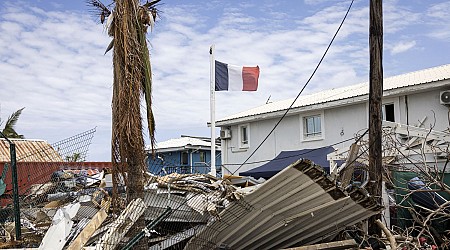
pixel 299 206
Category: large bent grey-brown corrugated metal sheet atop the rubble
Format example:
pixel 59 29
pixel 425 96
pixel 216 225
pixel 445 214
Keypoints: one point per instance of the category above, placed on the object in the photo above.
pixel 298 206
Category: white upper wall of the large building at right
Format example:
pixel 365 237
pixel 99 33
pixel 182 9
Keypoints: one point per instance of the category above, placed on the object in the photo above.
pixel 339 124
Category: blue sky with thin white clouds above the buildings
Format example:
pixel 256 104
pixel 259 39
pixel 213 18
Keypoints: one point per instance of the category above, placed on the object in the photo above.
pixel 52 59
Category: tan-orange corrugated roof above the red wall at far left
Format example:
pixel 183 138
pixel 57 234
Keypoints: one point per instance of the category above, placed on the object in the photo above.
pixel 29 151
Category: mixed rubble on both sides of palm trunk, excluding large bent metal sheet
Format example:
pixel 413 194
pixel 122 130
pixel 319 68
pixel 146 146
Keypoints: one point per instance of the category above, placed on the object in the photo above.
pixel 73 210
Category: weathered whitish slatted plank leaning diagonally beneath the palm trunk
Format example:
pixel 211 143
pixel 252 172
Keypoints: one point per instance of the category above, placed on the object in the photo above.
pixel 121 225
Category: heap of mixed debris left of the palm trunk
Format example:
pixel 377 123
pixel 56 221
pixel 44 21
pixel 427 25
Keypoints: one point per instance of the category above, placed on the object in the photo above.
pixel 54 213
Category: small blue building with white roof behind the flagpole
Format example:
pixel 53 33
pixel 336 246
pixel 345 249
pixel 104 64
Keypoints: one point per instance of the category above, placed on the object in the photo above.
pixel 184 155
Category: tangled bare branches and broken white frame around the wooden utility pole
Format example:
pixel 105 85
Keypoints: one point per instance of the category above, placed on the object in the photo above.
pixel 416 178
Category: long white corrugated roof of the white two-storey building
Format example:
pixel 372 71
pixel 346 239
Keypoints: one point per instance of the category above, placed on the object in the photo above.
pixel 390 83
